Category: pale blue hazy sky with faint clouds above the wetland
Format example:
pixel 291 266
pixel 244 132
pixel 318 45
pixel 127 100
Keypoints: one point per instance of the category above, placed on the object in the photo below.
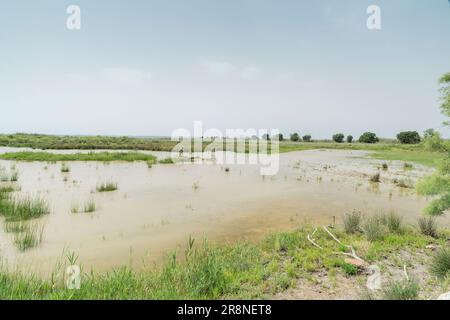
pixel 147 68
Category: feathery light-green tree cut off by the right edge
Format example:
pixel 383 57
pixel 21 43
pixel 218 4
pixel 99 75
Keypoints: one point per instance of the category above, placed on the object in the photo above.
pixel 438 184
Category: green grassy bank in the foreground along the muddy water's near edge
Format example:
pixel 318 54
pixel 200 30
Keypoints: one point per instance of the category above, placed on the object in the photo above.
pixel 241 270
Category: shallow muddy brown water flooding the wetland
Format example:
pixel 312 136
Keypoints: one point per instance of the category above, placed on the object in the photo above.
pixel 156 209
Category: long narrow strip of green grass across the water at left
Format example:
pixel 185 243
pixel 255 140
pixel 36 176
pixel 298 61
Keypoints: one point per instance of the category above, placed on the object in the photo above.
pixel 92 156
